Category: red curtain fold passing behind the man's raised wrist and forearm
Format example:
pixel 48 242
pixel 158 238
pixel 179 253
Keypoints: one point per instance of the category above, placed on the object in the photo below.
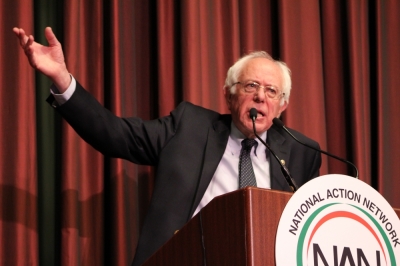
pixel 82 168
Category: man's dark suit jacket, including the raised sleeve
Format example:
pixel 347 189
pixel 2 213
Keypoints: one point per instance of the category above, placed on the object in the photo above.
pixel 186 147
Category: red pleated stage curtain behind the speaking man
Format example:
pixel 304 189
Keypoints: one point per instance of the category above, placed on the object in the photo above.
pixel 63 203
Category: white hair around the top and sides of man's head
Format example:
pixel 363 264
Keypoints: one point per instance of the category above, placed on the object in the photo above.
pixel 234 72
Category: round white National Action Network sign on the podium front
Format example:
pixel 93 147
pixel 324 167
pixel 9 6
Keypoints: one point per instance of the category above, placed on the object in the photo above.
pixel 338 220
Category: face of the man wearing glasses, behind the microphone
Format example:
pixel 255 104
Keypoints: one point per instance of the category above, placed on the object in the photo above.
pixel 264 72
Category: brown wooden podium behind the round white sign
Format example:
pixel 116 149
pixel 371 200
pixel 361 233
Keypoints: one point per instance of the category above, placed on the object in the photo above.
pixel 238 228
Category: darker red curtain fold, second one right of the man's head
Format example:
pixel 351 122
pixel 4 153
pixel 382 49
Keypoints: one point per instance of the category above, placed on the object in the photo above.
pixel 334 48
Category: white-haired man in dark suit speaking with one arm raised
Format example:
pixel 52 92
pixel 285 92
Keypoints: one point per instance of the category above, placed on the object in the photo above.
pixel 196 150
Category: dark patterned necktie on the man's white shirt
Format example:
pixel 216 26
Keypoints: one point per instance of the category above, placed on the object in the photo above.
pixel 246 172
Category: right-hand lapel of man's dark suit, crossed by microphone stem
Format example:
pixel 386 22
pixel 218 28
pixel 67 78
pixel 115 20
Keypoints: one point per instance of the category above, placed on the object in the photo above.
pixel 279 145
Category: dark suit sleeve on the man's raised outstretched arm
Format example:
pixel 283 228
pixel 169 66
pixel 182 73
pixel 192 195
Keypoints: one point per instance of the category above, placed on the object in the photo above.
pixel 131 138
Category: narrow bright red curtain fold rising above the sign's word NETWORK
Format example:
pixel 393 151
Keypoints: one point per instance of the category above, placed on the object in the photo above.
pixel 359 87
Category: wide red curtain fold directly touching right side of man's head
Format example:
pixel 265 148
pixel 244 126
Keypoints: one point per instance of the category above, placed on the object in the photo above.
pixel 300 34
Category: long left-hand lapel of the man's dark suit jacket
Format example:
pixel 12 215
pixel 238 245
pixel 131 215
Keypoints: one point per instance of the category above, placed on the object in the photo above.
pixel 214 149
